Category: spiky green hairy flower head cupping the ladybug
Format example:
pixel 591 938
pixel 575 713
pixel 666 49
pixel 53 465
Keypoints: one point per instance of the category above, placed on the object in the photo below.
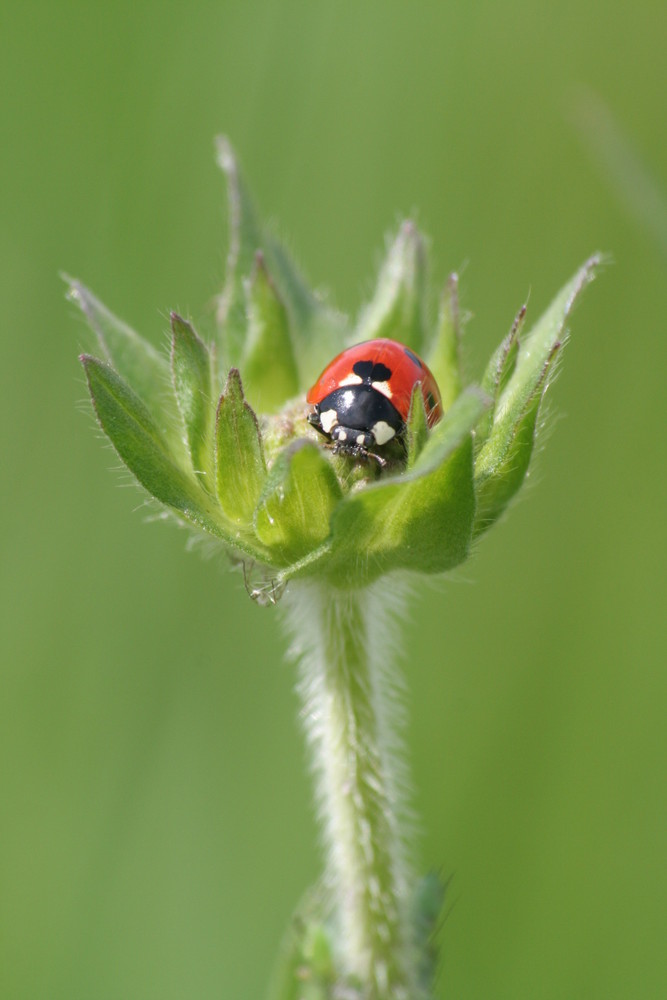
pixel 261 479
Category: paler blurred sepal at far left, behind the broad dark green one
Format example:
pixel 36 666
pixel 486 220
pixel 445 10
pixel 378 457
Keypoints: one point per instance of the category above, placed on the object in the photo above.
pixel 137 362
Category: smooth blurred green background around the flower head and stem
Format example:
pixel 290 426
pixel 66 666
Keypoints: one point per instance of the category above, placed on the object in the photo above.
pixel 156 821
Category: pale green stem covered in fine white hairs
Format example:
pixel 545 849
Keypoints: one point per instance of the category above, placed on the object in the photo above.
pixel 345 644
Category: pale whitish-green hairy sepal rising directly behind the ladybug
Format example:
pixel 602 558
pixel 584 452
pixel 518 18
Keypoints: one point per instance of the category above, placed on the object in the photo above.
pixel 398 307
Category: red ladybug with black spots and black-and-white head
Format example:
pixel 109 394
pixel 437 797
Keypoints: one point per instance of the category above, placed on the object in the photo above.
pixel 362 398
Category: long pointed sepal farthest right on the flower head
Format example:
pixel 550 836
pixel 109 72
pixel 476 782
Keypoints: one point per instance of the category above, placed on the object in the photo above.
pixel 504 458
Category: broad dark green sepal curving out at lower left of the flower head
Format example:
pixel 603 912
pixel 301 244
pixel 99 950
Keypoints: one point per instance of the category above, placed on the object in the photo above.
pixel 142 447
